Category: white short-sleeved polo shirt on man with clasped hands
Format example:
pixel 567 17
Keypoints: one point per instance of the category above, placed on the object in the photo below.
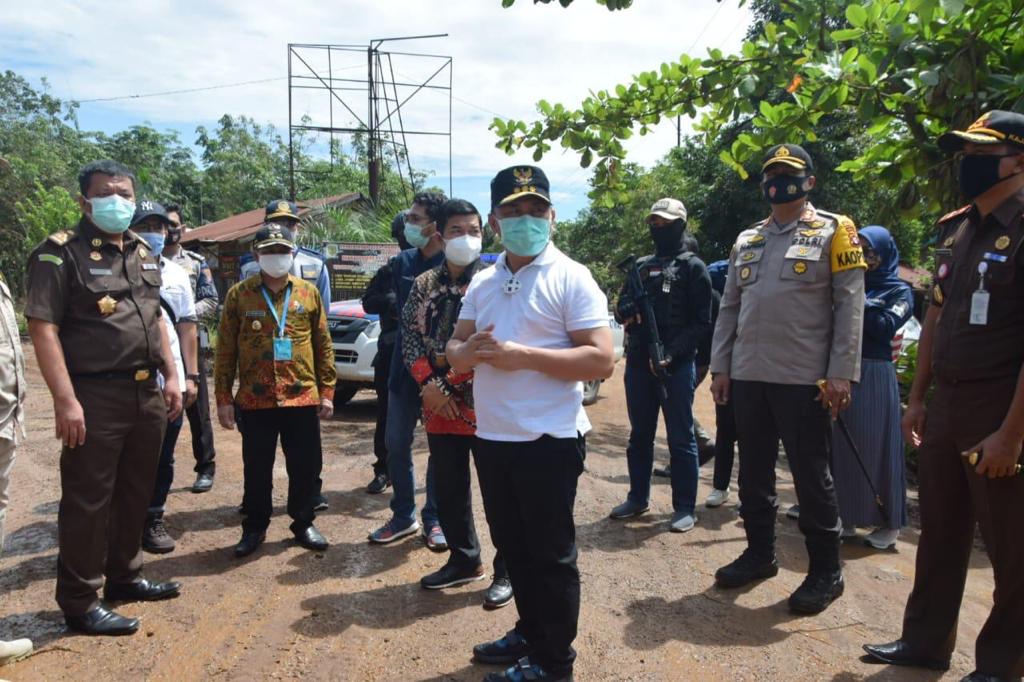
pixel 556 296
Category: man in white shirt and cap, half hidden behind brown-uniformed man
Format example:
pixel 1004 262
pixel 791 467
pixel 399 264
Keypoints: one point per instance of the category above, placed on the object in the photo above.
pixel 177 299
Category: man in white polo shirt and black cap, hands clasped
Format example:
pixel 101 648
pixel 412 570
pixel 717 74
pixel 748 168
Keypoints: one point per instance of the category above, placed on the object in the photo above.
pixel 533 328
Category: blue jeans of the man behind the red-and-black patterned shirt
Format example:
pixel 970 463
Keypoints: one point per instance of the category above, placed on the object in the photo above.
pixel 403 413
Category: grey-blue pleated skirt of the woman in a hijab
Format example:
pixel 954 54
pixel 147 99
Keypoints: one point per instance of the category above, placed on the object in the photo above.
pixel 874 418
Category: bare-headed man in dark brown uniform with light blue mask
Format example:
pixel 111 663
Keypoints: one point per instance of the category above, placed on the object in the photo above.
pixel 94 310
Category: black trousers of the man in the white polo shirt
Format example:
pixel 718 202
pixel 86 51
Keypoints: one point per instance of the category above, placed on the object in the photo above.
pixel 529 495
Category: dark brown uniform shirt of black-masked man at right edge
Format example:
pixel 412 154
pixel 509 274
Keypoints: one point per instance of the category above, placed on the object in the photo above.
pixel 980 353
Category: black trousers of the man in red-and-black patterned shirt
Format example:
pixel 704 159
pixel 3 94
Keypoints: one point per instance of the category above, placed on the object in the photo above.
pixel 450 455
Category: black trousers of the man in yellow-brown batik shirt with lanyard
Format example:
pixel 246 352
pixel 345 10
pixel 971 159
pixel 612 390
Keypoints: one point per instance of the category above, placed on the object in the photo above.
pixel 301 442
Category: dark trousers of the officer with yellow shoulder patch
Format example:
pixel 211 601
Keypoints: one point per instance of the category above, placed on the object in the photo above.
pixel 764 414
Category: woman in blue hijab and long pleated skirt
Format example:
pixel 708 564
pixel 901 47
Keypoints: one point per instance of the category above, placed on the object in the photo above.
pixel 874 417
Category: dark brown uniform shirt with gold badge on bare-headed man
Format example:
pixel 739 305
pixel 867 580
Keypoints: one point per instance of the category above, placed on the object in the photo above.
pixel 106 302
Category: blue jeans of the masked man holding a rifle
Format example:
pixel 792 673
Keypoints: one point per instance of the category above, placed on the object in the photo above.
pixel 644 405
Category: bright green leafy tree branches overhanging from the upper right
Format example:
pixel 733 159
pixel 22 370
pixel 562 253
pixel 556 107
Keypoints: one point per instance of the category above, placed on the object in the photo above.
pixel 909 69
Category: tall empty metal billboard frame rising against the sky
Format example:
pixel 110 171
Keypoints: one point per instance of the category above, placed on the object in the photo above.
pixel 386 98
